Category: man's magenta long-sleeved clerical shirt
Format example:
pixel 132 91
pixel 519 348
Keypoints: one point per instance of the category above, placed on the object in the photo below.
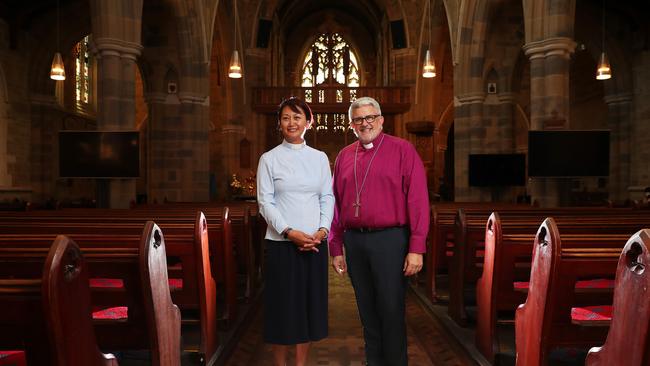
pixel 394 194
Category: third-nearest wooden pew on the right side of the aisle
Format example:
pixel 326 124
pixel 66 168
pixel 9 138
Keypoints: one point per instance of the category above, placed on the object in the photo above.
pixel 507 260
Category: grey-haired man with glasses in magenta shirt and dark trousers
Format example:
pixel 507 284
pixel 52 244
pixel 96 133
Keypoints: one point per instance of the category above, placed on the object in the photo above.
pixel 381 217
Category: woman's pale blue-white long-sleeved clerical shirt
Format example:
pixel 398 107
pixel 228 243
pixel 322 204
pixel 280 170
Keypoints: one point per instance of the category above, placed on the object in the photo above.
pixel 294 189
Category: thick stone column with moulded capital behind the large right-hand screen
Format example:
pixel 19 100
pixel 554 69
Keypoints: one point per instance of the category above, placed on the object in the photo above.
pixel 549 103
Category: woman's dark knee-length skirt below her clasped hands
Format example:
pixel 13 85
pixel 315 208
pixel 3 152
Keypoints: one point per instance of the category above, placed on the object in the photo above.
pixel 295 294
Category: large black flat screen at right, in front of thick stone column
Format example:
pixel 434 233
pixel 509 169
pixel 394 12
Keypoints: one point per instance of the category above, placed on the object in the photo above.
pixel 568 153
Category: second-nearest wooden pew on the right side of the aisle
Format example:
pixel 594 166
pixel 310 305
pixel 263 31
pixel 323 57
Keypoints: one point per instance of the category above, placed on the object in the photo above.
pixel 545 320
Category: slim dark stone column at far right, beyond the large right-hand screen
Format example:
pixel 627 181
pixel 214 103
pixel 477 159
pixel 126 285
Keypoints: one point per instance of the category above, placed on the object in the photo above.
pixel 618 120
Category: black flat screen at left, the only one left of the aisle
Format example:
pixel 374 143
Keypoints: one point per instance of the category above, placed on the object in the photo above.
pixel 99 154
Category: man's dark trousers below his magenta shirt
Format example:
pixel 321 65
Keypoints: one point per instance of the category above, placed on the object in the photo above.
pixel 375 261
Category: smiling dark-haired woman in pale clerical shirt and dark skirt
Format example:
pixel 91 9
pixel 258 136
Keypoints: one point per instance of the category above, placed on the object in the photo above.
pixel 294 192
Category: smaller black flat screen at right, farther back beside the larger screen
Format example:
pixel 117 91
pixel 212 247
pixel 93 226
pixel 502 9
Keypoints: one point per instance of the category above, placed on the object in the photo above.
pixel 495 170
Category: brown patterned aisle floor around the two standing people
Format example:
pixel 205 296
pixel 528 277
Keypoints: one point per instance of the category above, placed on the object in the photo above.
pixel 428 342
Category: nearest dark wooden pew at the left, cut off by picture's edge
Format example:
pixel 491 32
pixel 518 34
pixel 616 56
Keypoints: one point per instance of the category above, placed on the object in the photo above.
pixel 52 314
